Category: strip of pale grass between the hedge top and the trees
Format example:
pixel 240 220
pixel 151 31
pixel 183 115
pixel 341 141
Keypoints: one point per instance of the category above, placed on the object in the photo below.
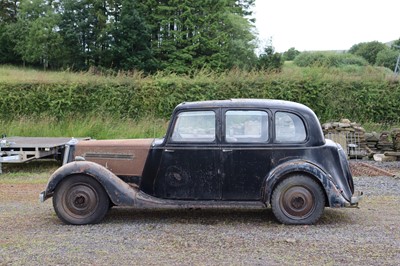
pixel 10 74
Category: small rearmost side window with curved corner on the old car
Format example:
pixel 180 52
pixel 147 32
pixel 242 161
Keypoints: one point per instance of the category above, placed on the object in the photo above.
pixel 289 127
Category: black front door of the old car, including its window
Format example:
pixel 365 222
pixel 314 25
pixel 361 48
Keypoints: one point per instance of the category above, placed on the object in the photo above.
pixel 190 160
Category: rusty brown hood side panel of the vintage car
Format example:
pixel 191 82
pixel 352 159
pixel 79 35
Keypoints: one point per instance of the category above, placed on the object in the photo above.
pixel 122 157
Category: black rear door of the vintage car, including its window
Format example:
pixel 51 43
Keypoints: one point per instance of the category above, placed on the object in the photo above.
pixel 246 153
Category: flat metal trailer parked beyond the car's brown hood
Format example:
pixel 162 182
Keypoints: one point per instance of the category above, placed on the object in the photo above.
pixel 25 149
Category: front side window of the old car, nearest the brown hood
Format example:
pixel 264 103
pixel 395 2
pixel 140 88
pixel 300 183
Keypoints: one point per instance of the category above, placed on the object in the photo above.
pixel 194 126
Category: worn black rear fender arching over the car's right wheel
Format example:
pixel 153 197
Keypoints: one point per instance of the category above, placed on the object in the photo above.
pixel 332 192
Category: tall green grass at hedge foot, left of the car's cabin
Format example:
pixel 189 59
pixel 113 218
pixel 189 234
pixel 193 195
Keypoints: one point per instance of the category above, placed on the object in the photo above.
pixel 94 127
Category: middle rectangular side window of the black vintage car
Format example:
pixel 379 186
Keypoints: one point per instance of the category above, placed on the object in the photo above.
pixel 246 126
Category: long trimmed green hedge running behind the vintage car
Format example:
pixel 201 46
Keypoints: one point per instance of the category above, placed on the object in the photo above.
pixel 331 99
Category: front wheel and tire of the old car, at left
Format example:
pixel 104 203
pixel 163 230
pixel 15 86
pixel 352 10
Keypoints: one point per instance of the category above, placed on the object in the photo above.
pixel 80 200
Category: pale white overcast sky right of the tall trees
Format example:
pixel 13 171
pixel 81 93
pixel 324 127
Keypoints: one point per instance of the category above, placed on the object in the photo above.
pixel 318 25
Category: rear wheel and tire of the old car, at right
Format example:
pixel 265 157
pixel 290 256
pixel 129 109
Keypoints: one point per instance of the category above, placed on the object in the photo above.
pixel 298 200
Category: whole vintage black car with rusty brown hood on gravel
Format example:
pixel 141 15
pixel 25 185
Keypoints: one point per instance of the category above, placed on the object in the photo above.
pixel 226 153
